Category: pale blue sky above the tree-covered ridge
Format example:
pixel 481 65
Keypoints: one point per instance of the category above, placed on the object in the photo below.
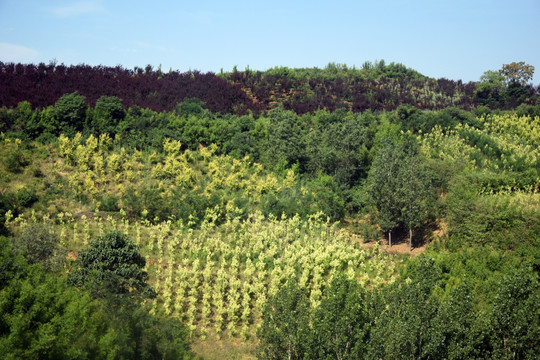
pixel 453 39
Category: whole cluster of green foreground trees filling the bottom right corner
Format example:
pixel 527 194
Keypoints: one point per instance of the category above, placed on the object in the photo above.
pixel 423 316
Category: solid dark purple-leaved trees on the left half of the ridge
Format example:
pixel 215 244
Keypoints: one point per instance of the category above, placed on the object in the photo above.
pixel 42 85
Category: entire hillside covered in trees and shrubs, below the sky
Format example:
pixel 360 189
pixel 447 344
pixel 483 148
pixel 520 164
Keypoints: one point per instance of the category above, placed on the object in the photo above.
pixel 293 213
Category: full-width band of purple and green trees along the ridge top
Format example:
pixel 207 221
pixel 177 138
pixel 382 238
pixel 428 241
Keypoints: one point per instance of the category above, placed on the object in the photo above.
pixel 376 86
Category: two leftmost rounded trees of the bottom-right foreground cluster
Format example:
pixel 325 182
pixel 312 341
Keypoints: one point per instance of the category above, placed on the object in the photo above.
pixel 337 329
